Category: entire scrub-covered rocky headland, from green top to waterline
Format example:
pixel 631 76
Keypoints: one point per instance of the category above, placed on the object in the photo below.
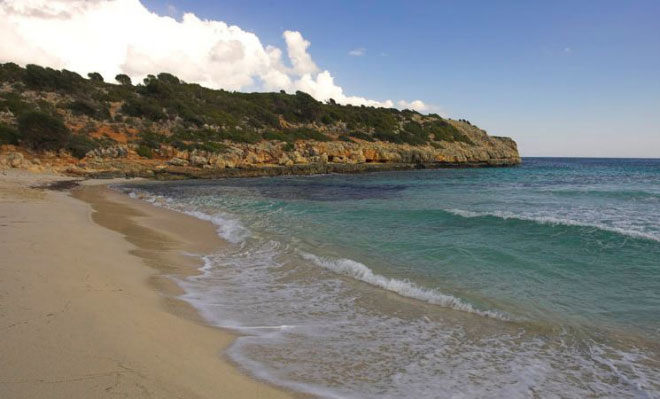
pixel 60 121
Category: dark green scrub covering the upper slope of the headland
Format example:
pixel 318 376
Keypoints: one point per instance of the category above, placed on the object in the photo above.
pixel 195 114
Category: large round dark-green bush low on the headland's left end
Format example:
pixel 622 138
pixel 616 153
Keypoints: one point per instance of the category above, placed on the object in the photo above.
pixel 42 131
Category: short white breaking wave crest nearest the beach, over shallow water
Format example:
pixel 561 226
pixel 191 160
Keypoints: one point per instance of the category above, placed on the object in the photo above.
pixel 361 272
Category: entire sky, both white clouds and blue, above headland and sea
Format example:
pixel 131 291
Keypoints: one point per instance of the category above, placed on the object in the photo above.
pixel 563 78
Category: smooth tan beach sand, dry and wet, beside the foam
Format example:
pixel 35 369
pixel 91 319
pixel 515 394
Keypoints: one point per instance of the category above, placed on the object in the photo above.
pixel 84 309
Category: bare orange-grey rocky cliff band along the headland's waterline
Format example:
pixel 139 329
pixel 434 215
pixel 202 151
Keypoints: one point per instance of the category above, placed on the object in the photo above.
pixel 271 158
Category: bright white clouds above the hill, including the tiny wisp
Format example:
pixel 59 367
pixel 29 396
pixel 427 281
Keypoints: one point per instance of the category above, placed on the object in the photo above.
pixel 123 36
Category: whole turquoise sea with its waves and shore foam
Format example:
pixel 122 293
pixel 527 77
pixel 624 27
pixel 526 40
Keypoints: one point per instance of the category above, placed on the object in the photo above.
pixel 541 280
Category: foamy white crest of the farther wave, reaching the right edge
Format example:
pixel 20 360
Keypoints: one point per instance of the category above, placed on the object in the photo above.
pixel 551 220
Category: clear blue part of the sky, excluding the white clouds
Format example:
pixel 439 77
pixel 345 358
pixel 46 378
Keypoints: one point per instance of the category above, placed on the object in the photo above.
pixel 572 78
